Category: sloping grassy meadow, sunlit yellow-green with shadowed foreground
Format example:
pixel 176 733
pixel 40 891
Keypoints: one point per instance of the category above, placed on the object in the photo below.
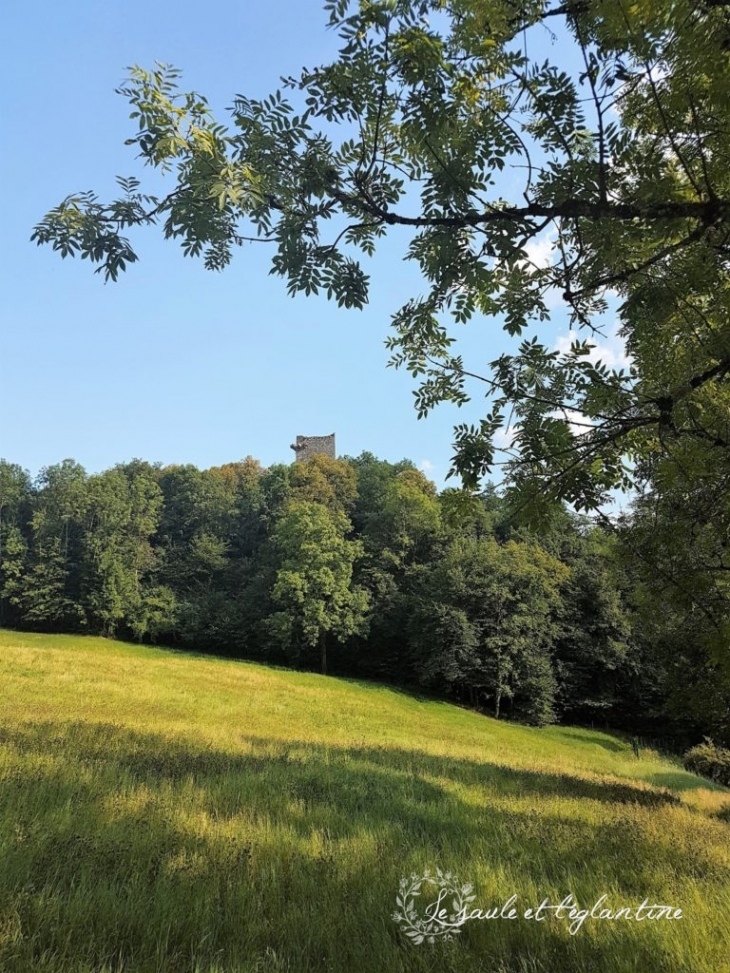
pixel 161 812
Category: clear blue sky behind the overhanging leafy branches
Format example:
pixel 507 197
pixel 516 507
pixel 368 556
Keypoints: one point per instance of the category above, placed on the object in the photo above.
pixel 174 363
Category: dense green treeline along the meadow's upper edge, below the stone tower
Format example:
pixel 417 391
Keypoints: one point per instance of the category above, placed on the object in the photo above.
pixel 357 566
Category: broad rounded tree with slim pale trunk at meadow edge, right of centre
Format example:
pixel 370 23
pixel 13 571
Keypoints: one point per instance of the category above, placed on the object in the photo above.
pixel 484 620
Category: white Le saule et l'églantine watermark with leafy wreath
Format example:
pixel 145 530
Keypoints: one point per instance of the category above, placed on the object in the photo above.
pixel 447 906
